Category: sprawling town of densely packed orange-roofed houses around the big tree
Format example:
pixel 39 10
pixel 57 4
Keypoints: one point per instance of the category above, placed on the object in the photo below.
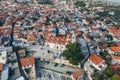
pixel 34 36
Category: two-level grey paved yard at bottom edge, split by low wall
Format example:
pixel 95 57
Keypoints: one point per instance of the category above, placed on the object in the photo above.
pixel 53 71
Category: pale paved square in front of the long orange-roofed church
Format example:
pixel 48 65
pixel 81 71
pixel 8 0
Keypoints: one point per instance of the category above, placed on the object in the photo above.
pixel 42 52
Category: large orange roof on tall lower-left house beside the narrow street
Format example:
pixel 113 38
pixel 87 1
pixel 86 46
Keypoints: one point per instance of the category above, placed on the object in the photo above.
pixel 27 61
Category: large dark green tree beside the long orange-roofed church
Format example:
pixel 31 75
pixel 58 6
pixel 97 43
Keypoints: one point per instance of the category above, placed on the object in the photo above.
pixel 73 53
